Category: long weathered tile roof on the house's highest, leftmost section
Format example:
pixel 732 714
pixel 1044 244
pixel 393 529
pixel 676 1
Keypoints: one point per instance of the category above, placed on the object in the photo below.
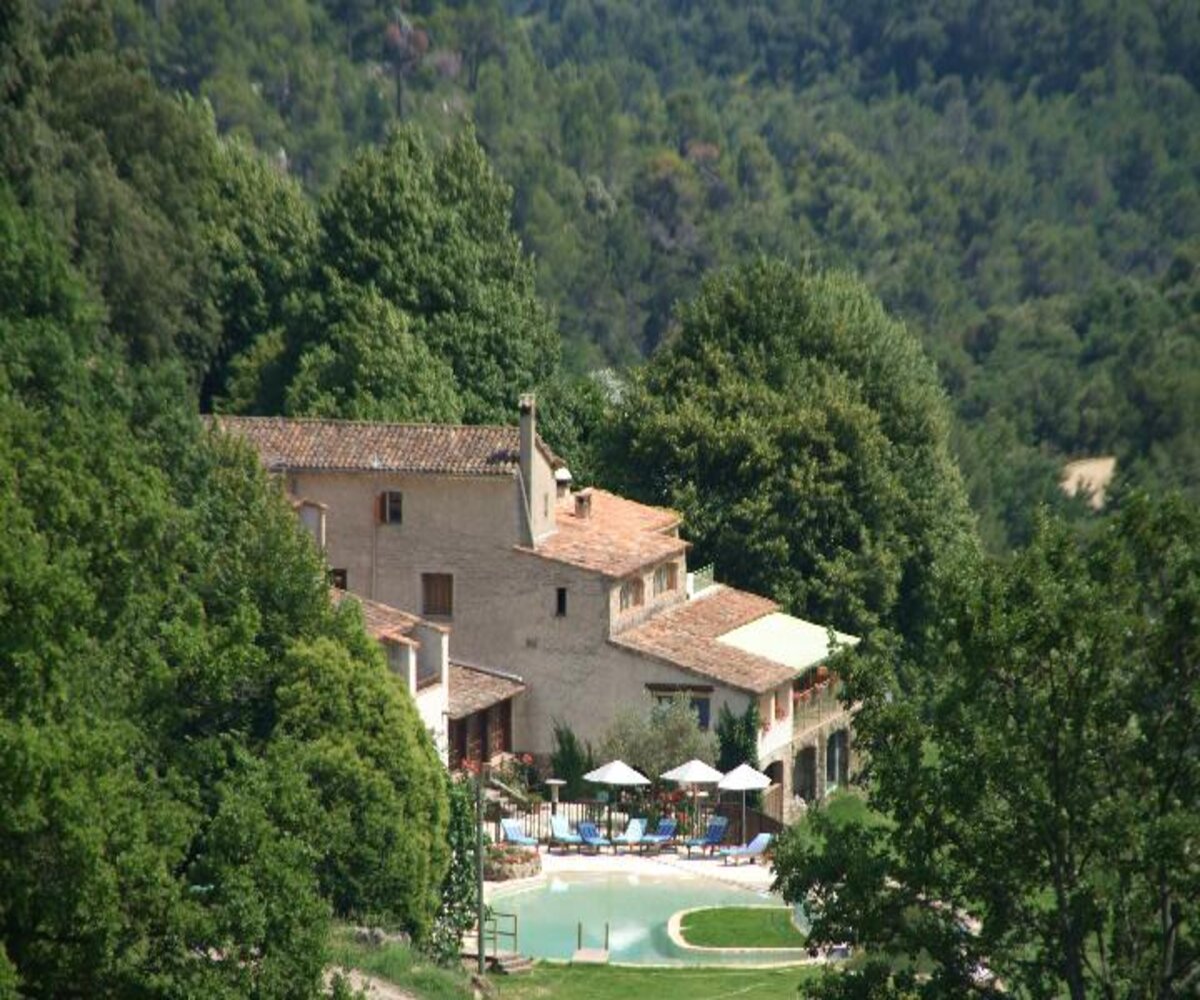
pixel 361 446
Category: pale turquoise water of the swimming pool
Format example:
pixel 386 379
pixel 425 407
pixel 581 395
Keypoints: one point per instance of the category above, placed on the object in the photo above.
pixel 635 908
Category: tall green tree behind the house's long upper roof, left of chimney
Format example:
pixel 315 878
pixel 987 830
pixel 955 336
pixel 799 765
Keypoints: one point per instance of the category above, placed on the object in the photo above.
pixel 428 232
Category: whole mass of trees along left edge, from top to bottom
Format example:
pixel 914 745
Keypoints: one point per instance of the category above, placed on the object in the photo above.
pixel 203 761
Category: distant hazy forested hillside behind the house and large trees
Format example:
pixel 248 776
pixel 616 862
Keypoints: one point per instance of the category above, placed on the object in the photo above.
pixel 1019 182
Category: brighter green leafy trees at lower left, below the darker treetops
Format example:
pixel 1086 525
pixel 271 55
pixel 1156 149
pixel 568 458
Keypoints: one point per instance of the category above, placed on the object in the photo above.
pixel 203 761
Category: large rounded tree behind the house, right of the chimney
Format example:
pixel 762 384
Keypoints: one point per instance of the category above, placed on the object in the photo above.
pixel 805 439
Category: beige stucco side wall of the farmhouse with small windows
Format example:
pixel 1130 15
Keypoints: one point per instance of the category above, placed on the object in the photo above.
pixel 506 601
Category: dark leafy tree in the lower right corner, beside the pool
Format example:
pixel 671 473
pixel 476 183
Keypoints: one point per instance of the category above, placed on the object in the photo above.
pixel 1039 805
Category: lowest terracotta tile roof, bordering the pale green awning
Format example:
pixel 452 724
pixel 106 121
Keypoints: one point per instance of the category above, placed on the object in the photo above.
pixel 688 636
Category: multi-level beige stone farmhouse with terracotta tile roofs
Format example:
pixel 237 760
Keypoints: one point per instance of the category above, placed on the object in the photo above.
pixel 531 604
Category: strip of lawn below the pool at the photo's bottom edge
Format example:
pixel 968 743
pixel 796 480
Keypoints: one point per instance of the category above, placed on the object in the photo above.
pixel 609 983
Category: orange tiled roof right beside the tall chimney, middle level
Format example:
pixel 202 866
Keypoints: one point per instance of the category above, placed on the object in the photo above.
pixel 620 537
